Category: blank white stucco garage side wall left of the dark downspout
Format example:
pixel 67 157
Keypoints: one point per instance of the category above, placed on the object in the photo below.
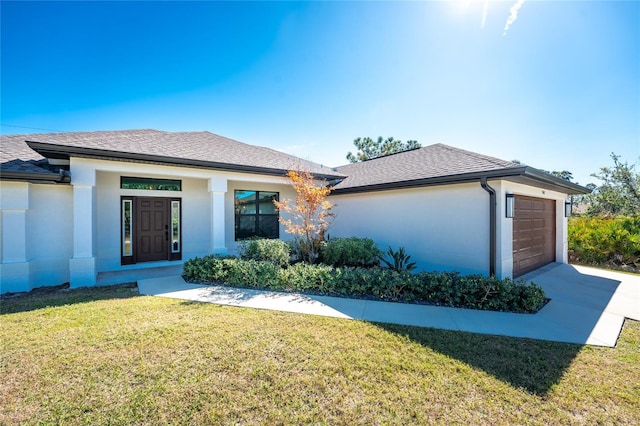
pixel 442 228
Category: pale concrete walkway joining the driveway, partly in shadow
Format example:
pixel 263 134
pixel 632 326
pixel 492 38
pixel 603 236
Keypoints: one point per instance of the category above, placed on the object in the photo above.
pixel 588 306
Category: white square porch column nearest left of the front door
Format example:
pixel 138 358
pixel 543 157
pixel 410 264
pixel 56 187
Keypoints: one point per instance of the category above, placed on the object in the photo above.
pixel 83 265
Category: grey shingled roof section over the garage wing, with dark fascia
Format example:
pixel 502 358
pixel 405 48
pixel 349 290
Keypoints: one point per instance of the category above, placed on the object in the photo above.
pixel 441 164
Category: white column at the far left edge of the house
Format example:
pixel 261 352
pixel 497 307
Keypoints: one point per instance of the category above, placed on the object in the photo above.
pixel 15 274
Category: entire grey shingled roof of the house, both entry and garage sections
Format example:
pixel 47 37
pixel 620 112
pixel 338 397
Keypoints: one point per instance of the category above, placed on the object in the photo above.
pixel 25 157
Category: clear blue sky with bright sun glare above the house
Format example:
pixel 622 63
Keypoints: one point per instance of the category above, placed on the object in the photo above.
pixel 559 91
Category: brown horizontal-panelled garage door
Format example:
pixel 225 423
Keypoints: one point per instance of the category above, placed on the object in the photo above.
pixel 534 234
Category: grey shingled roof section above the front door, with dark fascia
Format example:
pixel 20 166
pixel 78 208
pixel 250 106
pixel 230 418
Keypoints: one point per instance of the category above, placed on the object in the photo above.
pixel 187 149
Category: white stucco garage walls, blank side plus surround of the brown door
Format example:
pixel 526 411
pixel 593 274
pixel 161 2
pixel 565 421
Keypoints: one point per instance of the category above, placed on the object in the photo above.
pixel 443 227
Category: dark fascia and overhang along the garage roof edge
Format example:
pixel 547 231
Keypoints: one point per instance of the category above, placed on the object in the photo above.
pixel 523 174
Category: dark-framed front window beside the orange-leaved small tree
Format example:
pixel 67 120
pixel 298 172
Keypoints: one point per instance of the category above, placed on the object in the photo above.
pixel 256 215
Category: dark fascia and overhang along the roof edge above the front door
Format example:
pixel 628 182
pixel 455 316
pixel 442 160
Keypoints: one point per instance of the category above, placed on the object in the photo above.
pixel 64 152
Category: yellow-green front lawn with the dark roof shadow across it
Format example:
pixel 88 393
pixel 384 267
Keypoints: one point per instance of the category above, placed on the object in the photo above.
pixel 108 356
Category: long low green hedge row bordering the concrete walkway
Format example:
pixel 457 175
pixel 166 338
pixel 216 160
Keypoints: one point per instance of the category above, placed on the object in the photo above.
pixel 437 288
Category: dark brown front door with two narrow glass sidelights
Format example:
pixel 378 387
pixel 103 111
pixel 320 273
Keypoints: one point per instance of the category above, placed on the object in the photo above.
pixel 151 229
